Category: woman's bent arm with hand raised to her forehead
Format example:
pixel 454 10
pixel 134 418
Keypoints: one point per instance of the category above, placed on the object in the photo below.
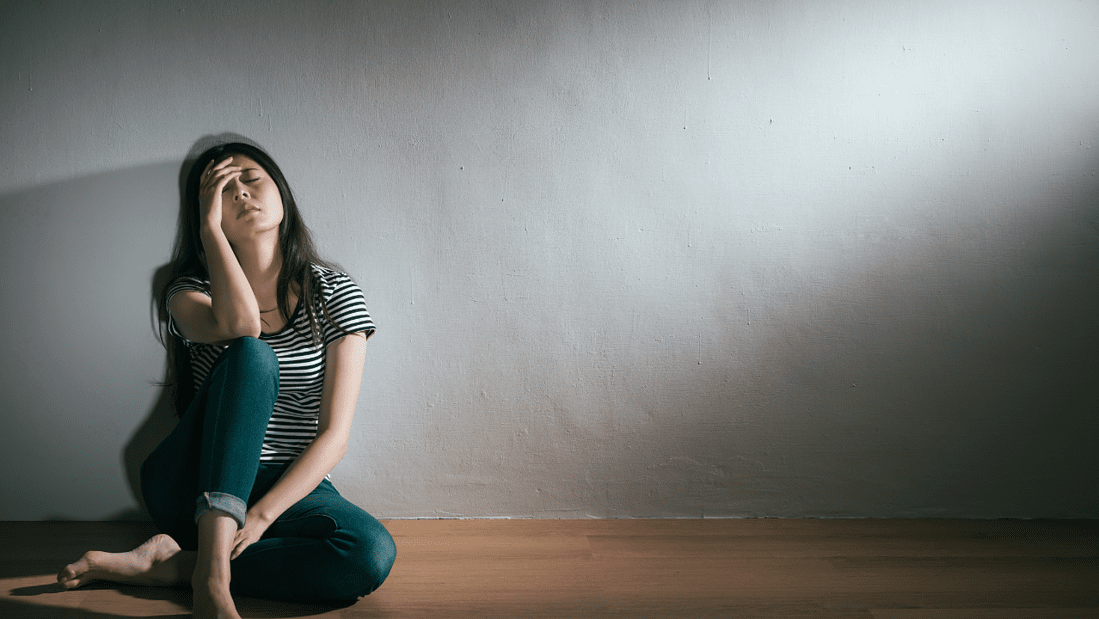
pixel 231 311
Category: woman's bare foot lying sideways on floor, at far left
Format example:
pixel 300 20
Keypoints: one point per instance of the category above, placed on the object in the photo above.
pixel 158 562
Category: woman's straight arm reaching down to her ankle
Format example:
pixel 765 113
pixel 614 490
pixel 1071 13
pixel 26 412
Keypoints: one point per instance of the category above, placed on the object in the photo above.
pixel 343 374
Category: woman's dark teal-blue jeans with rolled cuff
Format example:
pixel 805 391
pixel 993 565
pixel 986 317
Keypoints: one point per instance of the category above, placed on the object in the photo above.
pixel 324 549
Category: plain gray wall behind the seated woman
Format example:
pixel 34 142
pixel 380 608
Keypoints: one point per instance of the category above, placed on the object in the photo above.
pixel 627 259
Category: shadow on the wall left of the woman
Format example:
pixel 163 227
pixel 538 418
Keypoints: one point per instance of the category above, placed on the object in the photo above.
pixel 83 358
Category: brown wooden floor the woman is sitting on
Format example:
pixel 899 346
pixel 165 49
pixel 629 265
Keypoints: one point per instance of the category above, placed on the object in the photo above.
pixel 574 569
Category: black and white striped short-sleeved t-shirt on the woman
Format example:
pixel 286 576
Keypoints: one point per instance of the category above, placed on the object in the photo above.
pixel 293 426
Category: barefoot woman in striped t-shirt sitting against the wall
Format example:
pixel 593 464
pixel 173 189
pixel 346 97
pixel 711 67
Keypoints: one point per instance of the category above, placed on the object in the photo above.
pixel 274 345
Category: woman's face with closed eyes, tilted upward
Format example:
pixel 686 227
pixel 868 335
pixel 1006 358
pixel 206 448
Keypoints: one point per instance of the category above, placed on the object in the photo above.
pixel 251 203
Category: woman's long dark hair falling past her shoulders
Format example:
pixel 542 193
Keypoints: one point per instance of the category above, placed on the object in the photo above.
pixel 188 259
